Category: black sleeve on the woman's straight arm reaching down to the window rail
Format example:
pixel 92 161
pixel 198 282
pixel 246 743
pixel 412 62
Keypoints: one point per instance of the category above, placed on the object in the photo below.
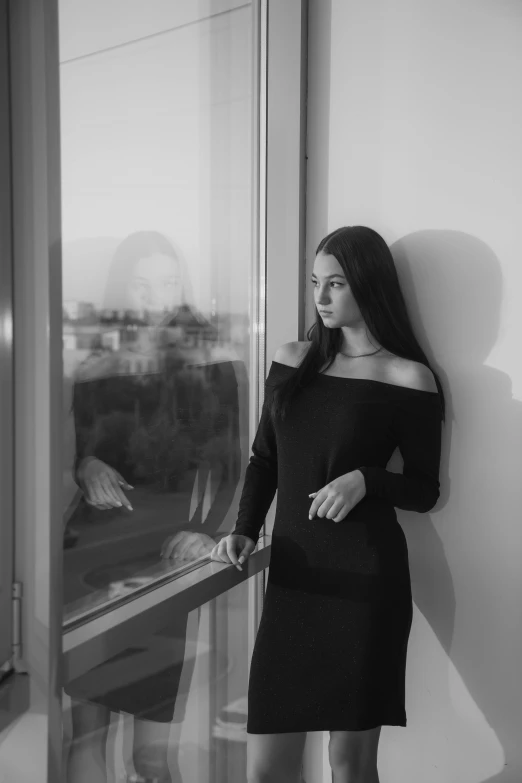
pixel 260 482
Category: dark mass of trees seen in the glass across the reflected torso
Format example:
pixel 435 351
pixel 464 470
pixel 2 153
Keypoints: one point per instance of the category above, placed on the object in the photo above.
pixel 155 427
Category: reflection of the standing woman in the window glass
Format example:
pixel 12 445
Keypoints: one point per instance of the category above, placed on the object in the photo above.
pixel 152 410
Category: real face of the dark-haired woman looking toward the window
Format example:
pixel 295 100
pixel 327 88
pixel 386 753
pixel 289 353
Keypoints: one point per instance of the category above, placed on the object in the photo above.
pixel 333 293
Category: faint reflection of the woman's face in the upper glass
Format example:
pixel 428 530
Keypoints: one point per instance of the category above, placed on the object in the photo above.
pixel 155 284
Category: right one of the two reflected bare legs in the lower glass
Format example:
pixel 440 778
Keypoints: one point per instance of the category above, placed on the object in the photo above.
pixel 150 751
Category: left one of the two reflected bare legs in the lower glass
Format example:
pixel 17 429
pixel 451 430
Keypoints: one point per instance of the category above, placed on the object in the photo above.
pixel 86 757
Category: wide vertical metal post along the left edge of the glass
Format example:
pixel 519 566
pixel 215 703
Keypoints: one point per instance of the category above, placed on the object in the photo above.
pixel 38 420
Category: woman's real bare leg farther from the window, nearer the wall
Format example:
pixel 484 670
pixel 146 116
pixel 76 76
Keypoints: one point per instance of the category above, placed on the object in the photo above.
pixel 353 756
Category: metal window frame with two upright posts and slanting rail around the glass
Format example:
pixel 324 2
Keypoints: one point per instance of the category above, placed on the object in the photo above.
pixel 277 309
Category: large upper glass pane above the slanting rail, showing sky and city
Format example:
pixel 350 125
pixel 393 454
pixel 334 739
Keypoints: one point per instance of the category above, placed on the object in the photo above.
pixel 157 160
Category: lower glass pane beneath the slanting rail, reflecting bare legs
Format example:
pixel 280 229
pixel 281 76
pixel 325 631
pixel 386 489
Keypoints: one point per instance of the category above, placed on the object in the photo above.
pixel 194 730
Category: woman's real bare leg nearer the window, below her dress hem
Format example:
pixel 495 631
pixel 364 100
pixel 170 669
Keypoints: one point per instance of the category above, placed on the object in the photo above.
pixel 275 758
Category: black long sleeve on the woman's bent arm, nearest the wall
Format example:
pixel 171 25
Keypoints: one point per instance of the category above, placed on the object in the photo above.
pixel 417 426
